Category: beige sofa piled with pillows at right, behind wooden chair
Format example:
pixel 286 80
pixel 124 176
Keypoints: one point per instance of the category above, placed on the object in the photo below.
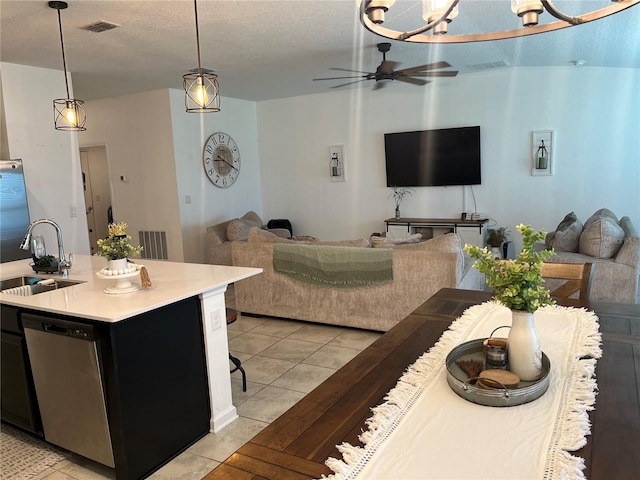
pixel 612 245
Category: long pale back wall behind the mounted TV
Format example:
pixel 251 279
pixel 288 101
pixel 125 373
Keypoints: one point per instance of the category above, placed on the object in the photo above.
pixel 593 112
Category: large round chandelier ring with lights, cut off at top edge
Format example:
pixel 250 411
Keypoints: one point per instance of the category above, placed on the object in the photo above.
pixel 439 13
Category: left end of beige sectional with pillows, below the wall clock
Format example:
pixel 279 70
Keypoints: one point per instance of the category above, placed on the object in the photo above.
pixel 220 236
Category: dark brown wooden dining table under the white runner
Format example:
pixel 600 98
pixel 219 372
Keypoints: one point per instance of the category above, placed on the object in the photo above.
pixel 296 445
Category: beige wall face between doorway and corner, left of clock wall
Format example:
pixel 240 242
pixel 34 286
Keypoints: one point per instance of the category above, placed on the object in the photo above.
pixel 137 133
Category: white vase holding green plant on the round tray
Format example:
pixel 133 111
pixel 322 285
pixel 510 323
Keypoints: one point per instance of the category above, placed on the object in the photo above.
pixel 523 347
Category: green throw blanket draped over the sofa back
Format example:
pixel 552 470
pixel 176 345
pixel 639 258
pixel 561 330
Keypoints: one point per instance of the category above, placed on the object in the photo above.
pixel 334 266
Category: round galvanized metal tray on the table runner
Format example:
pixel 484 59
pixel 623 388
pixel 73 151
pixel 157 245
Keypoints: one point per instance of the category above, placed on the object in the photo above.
pixel 460 383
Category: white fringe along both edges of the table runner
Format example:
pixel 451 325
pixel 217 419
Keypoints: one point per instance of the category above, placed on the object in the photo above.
pixel 570 429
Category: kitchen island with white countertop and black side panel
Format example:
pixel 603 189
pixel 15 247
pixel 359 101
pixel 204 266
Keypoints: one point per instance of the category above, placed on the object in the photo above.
pixel 163 351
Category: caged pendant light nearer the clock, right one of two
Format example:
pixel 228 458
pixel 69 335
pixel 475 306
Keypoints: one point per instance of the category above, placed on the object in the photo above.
pixel 202 94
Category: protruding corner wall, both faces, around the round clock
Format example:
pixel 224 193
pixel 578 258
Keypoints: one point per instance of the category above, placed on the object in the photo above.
pixel 158 146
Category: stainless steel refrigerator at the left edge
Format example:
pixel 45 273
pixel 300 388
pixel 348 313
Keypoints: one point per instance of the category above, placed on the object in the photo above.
pixel 14 211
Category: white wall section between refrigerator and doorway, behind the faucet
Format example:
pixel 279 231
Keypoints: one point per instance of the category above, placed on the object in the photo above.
pixel 50 157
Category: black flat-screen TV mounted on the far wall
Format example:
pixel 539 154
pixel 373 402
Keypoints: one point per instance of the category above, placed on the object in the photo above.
pixel 448 156
